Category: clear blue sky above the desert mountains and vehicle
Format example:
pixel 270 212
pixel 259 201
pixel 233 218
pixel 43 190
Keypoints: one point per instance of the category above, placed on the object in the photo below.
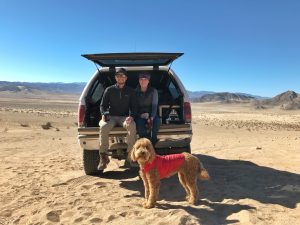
pixel 250 46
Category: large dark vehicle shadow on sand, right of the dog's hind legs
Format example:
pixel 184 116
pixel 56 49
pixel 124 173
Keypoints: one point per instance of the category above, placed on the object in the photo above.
pixel 235 179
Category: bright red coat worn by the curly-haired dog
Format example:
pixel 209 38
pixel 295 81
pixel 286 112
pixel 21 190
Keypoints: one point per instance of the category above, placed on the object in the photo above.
pixel 165 164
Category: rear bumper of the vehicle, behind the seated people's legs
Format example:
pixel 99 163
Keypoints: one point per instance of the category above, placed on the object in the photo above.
pixel 168 135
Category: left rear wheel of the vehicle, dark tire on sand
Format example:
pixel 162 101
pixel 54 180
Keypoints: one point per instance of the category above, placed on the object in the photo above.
pixel 91 160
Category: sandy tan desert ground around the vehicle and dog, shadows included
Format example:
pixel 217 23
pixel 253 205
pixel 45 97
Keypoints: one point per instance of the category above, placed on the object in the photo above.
pixel 252 156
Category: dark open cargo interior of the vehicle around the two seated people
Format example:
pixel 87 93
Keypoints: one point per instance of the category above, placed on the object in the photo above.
pixel 170 104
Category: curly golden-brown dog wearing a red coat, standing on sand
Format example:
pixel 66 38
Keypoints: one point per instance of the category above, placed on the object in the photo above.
pixel 154 167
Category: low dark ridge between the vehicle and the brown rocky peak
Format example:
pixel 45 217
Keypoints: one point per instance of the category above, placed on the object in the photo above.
pixel 225 97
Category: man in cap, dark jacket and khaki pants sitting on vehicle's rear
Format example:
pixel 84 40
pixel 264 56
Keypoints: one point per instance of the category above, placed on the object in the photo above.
pixel 118 108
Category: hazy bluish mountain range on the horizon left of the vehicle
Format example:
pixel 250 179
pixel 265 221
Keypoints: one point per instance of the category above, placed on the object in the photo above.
pixel 28 87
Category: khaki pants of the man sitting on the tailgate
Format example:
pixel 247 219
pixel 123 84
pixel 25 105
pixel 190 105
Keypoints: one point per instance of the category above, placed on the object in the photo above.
pixel 106 127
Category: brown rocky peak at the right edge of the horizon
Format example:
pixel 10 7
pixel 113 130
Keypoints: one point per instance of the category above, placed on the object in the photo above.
pixel 286 100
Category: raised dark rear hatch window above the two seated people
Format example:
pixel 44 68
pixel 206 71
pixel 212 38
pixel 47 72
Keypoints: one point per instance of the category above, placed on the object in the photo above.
pixel 133 59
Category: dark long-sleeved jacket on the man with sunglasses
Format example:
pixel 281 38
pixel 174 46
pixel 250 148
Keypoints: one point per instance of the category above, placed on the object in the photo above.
pixel 119 102
